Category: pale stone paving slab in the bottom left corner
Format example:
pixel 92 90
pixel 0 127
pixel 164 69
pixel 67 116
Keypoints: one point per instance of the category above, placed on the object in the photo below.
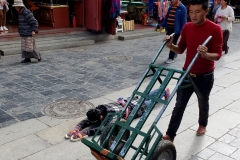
pixel 23 147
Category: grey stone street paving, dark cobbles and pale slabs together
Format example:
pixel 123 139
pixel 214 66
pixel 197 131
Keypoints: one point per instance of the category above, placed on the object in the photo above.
pixel 84 73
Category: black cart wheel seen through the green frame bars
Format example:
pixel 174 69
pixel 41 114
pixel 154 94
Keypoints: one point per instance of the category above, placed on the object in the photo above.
pixel 113 136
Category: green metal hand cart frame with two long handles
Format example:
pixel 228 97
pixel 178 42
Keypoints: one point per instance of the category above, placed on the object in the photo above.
pixel 144 150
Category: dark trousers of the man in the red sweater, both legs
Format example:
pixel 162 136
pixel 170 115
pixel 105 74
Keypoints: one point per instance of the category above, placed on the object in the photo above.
pixel 204 85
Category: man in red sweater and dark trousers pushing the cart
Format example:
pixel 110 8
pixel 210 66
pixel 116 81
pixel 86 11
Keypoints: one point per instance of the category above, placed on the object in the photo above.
pixel 193 35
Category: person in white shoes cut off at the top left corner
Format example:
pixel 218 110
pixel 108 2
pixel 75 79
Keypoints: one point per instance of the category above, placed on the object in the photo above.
pixel 3 10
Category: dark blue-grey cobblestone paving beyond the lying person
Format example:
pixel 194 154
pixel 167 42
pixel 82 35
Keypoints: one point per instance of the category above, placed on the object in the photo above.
pixel 79 73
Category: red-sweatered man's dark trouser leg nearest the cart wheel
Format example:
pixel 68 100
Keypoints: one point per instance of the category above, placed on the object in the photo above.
pixel 183 96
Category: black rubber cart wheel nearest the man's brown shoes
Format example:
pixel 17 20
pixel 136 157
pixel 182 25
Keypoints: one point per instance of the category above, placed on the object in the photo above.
pixel 164 151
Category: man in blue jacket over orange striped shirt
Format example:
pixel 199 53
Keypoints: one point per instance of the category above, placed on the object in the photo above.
pixel 174 21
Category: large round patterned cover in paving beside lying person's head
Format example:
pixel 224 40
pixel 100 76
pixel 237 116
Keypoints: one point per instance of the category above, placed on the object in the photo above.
pixel 67 109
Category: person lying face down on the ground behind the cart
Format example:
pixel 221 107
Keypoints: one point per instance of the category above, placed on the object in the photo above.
pixel 91 123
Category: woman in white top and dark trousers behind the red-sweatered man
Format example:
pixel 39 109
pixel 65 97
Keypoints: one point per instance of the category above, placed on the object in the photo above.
pixel 225 17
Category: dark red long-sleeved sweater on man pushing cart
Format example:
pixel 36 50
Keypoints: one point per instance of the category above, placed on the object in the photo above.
pixel 192 36
